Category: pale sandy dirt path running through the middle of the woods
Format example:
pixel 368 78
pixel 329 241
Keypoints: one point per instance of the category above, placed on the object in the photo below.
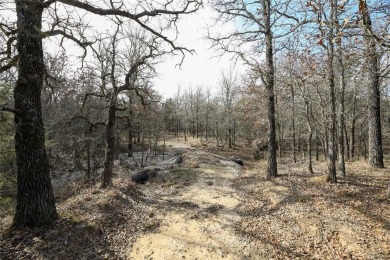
pixel 201 226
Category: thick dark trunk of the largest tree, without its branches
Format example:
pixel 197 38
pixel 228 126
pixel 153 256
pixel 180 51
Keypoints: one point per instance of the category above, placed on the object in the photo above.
pixel 35 205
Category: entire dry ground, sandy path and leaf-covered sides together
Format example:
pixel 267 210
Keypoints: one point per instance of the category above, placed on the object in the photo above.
pixel 211 208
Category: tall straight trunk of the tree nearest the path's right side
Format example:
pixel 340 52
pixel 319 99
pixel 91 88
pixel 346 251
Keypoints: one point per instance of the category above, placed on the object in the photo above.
pixel 270 79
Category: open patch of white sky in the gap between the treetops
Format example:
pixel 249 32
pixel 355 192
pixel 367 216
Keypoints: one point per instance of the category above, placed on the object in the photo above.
pixel 200 68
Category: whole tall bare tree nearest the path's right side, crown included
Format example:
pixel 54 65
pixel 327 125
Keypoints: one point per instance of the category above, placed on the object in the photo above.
pixel 256 35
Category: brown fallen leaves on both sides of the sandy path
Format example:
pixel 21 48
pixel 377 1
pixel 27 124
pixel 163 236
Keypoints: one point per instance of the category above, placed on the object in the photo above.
pixel 295 216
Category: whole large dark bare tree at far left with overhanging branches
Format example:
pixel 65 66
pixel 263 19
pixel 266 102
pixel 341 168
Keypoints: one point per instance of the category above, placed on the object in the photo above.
pixel 35 199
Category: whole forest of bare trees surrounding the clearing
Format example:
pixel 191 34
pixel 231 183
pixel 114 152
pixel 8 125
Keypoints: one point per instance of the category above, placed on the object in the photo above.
pixel 315 87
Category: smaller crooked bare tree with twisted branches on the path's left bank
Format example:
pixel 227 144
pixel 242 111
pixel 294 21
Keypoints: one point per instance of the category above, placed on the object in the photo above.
pixel 125 71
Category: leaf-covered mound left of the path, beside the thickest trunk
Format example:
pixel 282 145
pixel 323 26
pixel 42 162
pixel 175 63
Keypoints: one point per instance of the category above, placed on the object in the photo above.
pixel 95 224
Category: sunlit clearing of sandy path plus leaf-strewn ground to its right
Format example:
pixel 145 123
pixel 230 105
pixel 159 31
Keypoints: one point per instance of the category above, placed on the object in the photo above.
pixel 233 212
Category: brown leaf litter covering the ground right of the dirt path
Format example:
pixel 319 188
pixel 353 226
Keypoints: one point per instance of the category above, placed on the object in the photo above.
pixel 316 219
